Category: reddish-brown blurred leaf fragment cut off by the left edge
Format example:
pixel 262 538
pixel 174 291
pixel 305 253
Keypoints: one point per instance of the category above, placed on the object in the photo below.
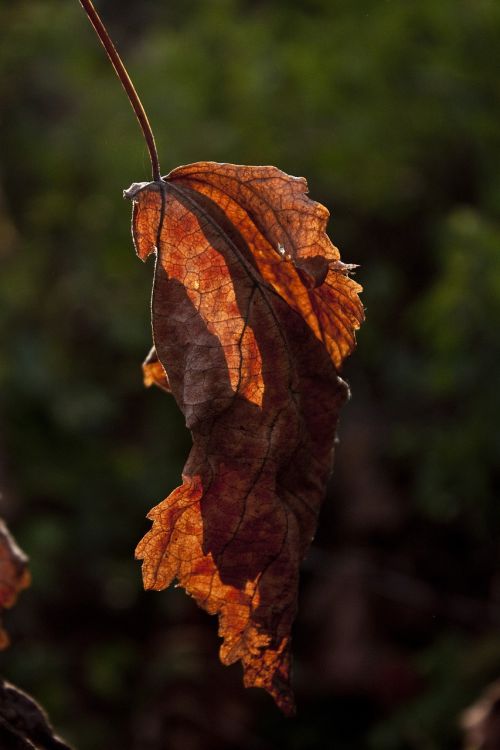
pixel 14 575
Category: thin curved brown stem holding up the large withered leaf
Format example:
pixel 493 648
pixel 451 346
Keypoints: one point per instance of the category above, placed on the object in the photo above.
pixel 127 84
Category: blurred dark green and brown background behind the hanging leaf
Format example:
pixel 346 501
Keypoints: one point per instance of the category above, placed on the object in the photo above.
pixel 391 108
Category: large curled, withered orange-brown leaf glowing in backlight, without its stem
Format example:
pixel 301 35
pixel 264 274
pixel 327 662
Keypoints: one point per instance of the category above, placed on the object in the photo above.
pixel 253 313
